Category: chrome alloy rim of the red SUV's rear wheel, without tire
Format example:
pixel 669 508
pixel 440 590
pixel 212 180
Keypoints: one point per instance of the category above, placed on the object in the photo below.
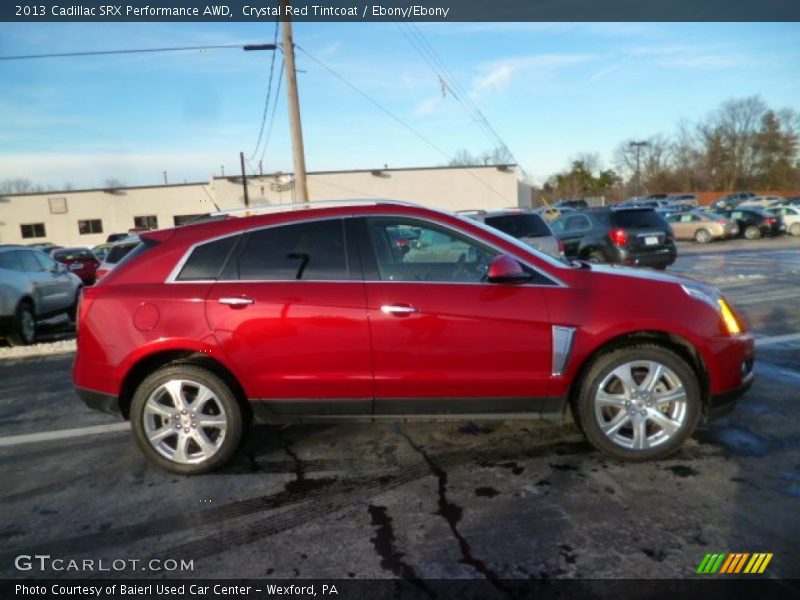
pixel 184 421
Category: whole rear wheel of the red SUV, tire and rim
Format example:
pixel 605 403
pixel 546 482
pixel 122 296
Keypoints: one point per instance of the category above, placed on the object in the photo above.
pixel 186 419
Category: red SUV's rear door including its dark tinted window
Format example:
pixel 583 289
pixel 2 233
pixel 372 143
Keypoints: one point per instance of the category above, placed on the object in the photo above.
pixel 289 312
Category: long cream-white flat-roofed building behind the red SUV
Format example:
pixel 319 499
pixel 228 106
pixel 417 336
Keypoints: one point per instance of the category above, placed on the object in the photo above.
pixel 86 217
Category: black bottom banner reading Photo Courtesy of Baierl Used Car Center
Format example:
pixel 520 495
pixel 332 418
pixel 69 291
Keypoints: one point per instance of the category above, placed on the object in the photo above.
pixel 722 588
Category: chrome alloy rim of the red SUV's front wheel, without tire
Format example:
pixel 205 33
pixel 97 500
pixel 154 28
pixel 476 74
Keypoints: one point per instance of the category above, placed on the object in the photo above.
pixel 640 405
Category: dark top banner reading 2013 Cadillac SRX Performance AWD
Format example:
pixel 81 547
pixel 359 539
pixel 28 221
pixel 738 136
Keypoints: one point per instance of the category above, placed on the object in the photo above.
pixel 400 10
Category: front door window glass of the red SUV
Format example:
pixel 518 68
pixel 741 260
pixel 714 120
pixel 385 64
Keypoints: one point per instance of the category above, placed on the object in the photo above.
pixel 433 253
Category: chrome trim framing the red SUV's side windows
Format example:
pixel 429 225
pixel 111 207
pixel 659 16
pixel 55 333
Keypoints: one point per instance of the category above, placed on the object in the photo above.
pixel 172 277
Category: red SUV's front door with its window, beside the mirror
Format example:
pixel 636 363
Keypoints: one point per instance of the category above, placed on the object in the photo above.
pixel 444 339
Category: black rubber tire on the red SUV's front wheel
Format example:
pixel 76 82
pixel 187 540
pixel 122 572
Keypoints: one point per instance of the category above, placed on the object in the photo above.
pixel 589 411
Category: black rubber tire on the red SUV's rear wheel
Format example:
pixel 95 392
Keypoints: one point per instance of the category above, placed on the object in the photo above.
pixel 227 408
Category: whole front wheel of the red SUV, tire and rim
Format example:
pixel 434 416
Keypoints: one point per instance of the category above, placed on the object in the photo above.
pixel 639 403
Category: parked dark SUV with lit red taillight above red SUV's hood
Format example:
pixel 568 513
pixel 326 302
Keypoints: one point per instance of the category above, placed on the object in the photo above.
pixel 630 236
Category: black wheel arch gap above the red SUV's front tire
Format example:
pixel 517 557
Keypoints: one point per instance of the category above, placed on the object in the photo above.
pixel 670 341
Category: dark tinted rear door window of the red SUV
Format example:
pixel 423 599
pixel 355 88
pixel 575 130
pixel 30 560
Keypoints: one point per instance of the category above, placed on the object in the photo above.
pixel 302 251
